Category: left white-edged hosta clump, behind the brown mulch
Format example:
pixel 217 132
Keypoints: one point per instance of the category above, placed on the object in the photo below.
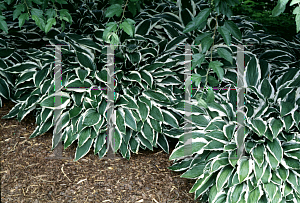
pixel 147 83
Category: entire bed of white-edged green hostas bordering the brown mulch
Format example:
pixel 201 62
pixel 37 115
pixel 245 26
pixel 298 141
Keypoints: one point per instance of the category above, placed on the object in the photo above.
pixel 150 89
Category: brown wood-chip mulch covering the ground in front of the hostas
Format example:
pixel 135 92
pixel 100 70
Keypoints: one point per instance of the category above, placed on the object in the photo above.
pixel 27 176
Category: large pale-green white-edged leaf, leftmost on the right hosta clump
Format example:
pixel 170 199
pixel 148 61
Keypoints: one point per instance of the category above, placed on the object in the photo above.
pixel 188 149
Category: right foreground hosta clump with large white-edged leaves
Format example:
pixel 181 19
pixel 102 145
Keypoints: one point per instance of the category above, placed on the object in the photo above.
pixel 269 169
